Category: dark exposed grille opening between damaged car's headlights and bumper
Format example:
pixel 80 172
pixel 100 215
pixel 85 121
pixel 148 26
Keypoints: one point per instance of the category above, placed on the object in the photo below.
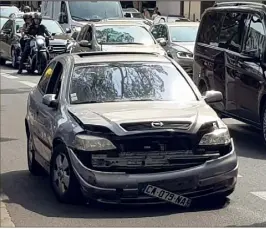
pixel 157 152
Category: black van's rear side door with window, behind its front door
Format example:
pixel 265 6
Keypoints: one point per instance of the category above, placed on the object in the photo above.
pixel 231 40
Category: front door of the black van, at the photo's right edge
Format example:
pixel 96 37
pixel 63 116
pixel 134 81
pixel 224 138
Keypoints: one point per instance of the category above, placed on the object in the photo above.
pixel 250 81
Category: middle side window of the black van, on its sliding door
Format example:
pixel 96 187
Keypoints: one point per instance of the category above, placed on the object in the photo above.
pixel 232 31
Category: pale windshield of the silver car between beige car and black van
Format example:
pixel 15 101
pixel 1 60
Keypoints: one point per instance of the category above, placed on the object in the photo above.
pixel 183 33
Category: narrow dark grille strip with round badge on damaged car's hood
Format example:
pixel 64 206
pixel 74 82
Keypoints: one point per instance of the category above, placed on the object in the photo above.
pixel 140 126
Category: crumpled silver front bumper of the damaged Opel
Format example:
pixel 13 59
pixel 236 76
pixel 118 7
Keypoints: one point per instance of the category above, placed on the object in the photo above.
pixel 213 177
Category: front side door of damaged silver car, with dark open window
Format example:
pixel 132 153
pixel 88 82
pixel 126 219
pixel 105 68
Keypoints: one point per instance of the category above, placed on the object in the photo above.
pixel 47 116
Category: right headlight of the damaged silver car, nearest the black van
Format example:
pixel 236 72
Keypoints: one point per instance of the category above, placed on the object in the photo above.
pixel 219 136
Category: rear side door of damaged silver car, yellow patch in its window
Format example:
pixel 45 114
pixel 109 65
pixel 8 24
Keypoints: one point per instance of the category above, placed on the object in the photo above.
pixel 38 122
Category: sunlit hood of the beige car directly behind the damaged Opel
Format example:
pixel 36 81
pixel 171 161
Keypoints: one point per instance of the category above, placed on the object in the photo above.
pixel 129 47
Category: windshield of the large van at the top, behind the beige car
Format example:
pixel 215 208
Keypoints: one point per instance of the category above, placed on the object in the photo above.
pixel 84 10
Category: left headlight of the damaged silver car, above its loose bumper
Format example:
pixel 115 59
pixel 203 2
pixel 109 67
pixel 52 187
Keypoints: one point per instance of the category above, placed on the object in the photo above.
pixel 92 143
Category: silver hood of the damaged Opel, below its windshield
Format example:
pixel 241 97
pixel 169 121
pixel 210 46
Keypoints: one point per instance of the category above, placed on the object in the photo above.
pixel 112 114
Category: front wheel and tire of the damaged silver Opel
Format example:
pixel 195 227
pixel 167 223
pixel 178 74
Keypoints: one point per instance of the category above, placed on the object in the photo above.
pixel 63 179
